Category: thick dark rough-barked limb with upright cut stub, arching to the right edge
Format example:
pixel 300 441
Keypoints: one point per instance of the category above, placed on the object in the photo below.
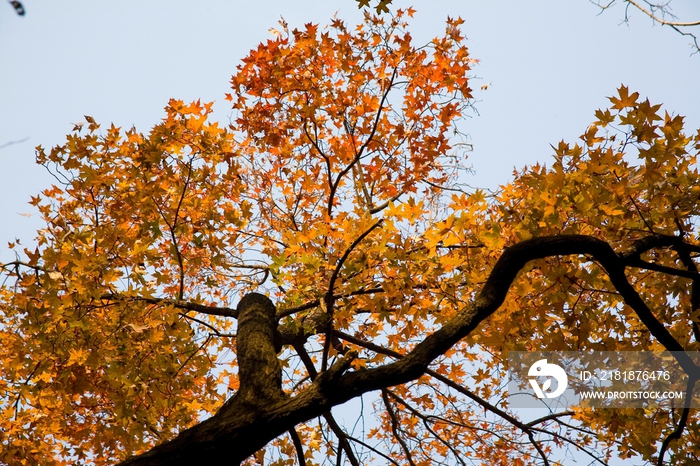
pixel 260 411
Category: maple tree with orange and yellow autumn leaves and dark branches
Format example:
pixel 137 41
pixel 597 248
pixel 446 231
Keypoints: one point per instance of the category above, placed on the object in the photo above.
pixel 332 211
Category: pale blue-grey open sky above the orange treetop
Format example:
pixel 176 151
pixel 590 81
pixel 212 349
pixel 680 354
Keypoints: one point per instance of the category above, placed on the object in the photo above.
pixel 549 65
